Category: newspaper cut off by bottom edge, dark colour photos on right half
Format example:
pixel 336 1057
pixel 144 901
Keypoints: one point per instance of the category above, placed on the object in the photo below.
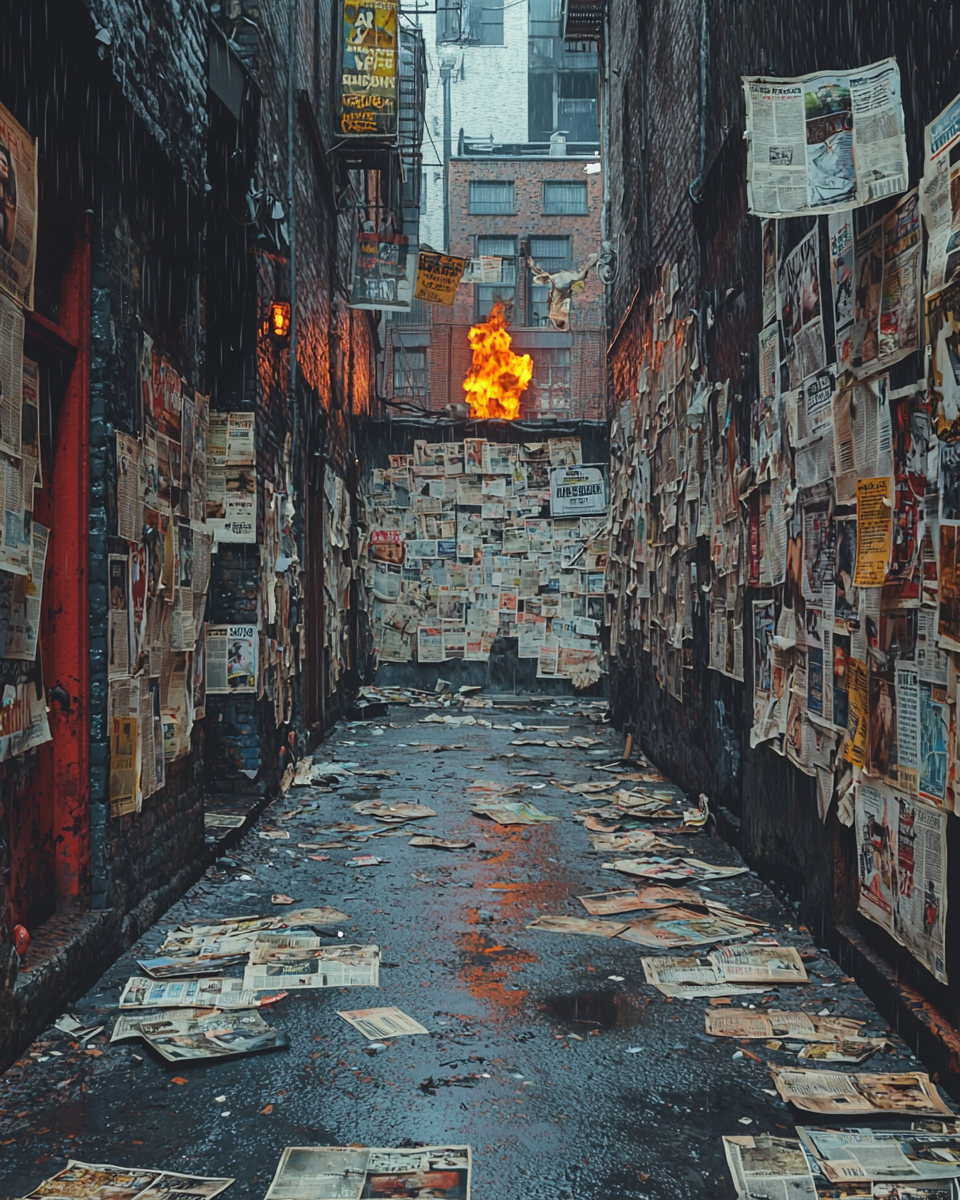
pixel 331 1173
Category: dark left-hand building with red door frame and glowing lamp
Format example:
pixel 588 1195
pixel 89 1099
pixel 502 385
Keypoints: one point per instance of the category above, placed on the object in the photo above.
pixel 188 197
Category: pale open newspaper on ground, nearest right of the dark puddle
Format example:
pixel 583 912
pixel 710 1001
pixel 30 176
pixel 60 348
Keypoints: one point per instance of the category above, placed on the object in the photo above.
pixel 727 971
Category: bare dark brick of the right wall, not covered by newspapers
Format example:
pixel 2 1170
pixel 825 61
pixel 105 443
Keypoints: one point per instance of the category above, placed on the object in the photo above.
pixel 664 137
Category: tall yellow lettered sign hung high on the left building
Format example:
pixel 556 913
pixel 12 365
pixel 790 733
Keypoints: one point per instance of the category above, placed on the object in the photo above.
pixel 369 69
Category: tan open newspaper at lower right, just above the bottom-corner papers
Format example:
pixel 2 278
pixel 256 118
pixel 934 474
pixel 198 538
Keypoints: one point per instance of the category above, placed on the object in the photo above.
pixel 835 1094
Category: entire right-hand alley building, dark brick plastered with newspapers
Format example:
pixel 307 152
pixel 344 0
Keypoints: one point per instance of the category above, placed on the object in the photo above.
pixel 740 682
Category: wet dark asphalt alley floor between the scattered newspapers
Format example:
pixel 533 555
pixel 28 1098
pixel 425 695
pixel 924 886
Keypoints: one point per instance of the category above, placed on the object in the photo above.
pixel 566 1082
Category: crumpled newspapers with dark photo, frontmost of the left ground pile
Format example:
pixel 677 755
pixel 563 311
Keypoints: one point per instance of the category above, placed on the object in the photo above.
pixel 185 1035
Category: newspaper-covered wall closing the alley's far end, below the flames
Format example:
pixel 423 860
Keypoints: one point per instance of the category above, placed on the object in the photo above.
pixel 484 554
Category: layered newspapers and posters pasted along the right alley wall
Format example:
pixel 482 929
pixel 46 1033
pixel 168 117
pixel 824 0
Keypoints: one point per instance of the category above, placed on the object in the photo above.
pixel 785 548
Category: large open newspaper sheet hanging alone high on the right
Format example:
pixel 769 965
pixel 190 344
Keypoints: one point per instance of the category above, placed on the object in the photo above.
pixel 825 142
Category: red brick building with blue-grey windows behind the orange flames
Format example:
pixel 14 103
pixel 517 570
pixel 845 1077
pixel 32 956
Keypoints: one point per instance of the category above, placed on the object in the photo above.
pixel 515 205
